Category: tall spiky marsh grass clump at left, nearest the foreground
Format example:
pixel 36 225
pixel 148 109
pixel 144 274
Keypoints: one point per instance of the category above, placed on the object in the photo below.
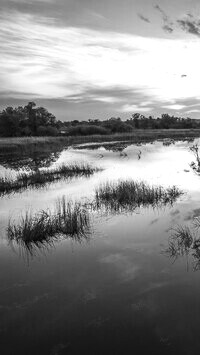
pixel 40 231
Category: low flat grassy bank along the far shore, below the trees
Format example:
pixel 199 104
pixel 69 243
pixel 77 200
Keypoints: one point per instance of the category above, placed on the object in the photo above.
pixel 30 145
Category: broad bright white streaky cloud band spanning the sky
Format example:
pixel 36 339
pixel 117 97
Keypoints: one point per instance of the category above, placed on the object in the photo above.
pixel 38 56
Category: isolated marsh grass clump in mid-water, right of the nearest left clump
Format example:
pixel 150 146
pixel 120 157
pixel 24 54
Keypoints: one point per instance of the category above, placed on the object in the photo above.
pixel 128 195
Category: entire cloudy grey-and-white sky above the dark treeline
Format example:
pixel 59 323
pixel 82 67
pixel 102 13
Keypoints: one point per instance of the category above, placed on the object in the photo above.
pixel 100 58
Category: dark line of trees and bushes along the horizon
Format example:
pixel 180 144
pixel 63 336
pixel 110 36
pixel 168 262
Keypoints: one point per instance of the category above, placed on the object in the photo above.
pixel 37 121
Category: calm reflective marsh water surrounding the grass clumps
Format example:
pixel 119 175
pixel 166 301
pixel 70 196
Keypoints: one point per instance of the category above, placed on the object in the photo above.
pixel 117 291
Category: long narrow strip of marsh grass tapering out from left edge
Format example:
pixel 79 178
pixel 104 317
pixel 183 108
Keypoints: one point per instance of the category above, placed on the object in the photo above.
pixel 41 177
